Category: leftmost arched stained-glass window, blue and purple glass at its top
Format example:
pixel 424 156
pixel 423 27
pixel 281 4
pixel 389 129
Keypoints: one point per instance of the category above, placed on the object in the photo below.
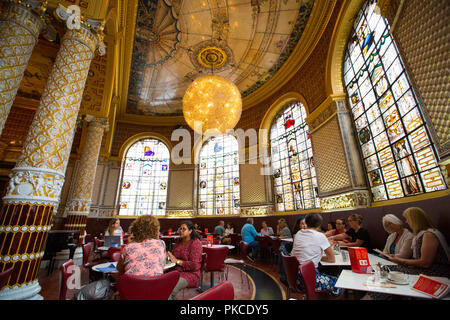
pixel 145 173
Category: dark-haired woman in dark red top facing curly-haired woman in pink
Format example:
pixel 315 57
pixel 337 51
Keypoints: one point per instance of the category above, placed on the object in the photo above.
pixel 187 254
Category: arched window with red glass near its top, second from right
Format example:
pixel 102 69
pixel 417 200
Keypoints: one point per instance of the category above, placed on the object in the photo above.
pixel 294 173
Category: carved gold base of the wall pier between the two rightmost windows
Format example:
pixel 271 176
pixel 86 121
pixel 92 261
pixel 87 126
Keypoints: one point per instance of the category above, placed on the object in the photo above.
pixel 346 201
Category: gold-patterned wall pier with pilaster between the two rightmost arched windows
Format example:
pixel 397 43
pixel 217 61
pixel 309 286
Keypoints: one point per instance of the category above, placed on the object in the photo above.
pixel 340 172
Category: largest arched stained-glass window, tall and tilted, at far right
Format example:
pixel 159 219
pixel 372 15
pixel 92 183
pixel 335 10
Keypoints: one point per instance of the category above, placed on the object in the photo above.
pixel 398 153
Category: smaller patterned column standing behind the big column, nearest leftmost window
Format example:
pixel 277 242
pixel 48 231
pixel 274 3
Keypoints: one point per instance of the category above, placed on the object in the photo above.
pixel 80 202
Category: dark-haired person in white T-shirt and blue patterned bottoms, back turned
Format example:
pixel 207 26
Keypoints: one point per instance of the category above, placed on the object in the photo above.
pixel 311 244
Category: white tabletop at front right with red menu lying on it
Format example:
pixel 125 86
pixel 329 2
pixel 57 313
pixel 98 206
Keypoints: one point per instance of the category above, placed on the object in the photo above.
pixel 356 281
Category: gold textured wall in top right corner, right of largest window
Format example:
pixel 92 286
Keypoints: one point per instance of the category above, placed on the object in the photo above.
pixel 423 36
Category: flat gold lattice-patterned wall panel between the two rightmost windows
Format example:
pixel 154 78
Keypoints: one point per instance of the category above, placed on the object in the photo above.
pixel 329 157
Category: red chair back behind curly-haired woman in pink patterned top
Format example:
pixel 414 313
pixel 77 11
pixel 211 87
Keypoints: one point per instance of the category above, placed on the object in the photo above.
pixel 133 287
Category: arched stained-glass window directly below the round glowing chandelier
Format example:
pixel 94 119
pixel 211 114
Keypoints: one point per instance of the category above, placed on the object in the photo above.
pixel 219 186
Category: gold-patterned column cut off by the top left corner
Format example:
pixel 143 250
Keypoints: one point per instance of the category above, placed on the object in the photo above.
pixel 20 25
